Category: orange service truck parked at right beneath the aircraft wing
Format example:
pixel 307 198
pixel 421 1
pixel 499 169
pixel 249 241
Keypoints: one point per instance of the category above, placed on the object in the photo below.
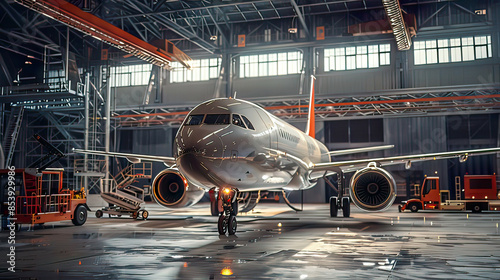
pixel 479 193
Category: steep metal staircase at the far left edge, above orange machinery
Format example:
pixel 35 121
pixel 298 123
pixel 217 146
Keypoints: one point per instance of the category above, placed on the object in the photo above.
pixel 12 133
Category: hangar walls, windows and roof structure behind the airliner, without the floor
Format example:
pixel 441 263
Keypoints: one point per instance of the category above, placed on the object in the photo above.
pixel 434 88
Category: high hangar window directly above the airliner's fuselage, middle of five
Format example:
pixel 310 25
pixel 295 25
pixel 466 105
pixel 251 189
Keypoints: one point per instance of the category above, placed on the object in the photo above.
pixel 270 64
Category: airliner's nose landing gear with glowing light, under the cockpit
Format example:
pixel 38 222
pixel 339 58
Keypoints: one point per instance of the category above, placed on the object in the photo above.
pixel 227 202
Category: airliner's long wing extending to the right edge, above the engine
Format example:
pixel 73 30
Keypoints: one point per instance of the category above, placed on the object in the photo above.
pixel 353 165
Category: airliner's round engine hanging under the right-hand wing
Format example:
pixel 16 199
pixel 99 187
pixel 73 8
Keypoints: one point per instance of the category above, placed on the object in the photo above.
pixel 373 188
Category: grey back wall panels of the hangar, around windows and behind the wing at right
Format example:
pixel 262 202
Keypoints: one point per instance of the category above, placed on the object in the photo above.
pixel 410 135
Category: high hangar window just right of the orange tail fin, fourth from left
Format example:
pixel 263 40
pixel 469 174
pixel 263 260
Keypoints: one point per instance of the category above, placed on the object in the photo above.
pixel 359 57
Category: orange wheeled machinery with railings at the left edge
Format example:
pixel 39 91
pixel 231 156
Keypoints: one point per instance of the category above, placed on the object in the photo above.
pixel 41 198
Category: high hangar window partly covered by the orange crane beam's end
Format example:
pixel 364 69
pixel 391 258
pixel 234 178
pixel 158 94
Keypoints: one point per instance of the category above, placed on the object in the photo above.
pixel 202 70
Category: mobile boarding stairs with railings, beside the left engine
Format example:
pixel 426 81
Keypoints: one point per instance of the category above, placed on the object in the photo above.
pixel 119 190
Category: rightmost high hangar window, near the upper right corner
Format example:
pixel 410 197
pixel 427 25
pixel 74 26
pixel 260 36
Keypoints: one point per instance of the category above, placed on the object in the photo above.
pixel 452 50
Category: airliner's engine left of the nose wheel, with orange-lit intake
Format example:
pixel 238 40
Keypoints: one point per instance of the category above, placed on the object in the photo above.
pixel 171 189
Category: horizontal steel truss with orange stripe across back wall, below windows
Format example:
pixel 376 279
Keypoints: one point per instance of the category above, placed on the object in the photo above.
pixel 392 103
